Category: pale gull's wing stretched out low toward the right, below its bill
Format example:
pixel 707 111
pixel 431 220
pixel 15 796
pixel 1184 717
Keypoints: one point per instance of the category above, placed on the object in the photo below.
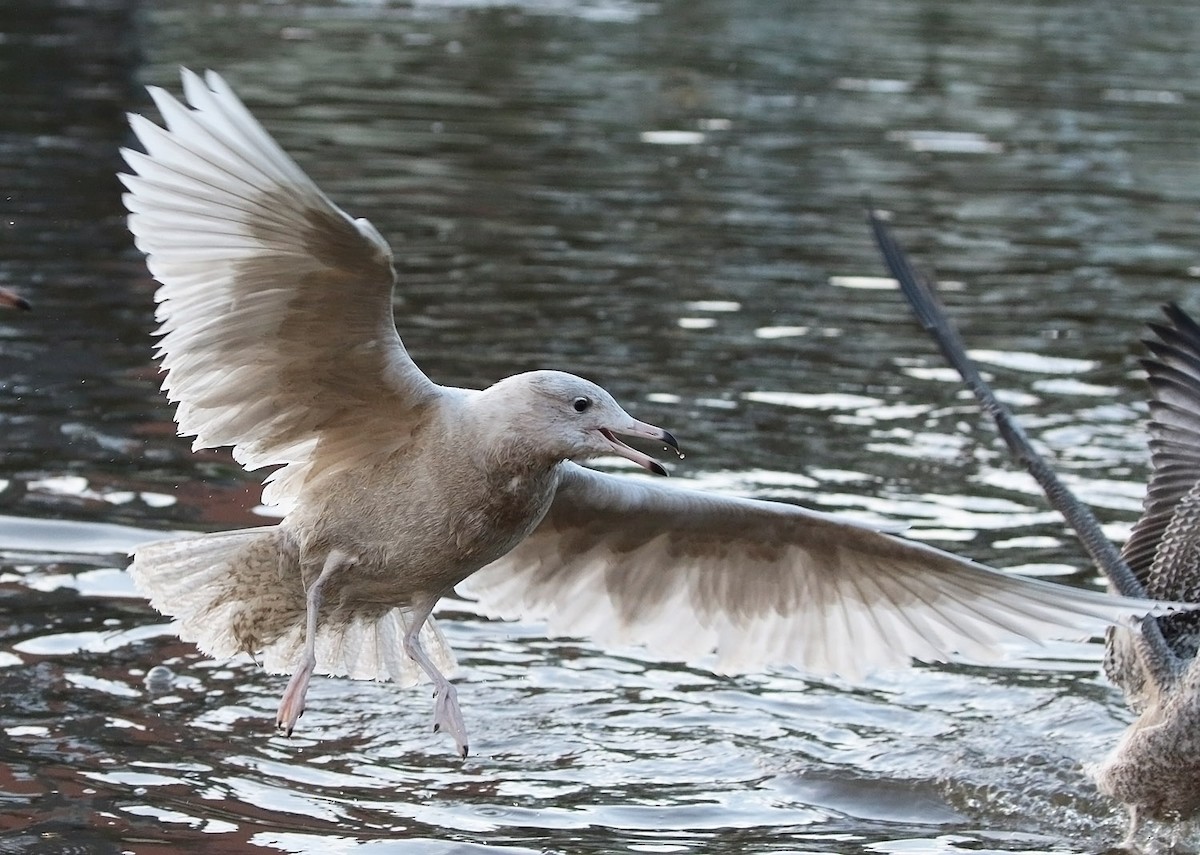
pixel 687 573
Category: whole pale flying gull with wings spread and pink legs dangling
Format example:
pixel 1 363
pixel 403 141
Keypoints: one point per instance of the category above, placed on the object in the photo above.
pixel 279 340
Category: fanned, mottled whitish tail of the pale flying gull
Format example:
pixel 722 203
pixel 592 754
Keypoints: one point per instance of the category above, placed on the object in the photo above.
pixel 242 593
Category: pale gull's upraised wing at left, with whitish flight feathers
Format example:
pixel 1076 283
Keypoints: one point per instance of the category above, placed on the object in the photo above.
pixel 278 330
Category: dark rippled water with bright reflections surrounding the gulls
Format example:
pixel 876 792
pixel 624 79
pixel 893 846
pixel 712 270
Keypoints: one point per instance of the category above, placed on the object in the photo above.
pixel 668 199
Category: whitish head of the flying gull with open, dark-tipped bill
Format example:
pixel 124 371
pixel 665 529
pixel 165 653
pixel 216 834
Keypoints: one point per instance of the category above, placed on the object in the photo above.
pixel 572 418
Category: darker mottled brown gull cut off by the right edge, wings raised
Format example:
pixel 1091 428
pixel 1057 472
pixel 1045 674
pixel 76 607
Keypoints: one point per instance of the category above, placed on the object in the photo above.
pixel 1155 769
